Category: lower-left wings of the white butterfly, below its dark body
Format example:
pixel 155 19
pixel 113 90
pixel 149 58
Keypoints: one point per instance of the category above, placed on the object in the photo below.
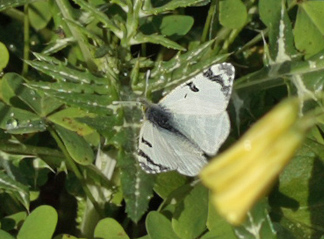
pixel 161 150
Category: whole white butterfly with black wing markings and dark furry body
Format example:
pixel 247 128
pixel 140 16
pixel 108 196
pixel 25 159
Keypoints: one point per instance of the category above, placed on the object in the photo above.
pixel 187 124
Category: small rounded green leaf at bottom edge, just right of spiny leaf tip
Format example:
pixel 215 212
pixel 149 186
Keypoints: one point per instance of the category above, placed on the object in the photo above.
pixel 158 227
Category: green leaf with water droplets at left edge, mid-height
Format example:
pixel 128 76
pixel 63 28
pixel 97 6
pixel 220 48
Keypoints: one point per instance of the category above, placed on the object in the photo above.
pixel 17 121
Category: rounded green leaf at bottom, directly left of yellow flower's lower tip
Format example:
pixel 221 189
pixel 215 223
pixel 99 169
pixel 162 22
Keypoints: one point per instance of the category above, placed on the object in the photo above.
pixel 189 220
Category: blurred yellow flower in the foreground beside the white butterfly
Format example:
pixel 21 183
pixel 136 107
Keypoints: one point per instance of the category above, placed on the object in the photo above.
pixel 245 172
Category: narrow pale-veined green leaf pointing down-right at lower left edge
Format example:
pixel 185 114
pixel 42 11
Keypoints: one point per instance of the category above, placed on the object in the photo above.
pixel 16 189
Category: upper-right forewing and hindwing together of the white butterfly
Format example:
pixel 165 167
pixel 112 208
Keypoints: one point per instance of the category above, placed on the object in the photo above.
pixel 199 105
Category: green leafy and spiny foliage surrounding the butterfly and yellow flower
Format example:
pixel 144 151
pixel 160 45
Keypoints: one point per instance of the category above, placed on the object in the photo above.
pixel 67 164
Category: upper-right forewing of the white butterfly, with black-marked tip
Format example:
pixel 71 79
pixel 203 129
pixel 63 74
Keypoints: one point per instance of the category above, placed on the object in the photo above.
pixel 206 93
